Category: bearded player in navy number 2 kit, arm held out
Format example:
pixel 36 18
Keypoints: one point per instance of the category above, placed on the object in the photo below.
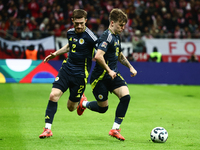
pixel 75 69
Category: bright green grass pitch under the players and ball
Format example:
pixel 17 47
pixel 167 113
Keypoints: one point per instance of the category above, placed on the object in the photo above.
pixel 176 108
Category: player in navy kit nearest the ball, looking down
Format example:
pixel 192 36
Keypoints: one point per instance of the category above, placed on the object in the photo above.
pixel 105 76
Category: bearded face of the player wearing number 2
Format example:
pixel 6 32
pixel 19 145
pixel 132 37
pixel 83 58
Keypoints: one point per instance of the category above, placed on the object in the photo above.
pixel 79 24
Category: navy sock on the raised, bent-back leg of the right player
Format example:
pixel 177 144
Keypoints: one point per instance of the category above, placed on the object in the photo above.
pixel 95 107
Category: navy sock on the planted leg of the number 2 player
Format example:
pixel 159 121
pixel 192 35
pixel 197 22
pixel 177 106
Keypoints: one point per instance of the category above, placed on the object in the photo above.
pixel 50 111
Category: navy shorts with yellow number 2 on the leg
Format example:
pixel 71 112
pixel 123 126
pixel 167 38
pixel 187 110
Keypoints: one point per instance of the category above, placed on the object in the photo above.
pixel 76 85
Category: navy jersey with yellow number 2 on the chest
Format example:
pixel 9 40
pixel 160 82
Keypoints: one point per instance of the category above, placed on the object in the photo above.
pixel 82 46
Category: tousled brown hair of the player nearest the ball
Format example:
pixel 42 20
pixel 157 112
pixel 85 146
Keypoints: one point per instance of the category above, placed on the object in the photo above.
pixel 118 15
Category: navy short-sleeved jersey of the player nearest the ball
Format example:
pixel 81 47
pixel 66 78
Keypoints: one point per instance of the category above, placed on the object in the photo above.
pixel 111 45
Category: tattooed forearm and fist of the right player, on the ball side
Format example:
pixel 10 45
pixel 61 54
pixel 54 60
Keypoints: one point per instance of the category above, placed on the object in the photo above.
pixel 122 59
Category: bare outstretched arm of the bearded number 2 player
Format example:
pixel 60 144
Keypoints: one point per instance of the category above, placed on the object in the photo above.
pixel 63 50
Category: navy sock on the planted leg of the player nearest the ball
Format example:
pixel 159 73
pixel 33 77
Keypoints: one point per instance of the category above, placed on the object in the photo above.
pixel 121 109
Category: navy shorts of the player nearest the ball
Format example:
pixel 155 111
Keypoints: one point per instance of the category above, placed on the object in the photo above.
pixel 102 87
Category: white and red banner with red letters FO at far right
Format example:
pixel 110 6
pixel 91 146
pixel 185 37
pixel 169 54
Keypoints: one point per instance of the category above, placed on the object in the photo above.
pixel 175 50
